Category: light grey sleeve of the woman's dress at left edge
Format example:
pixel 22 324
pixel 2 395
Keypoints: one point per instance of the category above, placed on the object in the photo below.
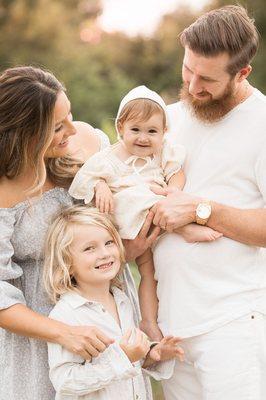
pixel 9 294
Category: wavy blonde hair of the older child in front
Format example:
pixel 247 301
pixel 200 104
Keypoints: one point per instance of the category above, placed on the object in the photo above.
pixel 58 277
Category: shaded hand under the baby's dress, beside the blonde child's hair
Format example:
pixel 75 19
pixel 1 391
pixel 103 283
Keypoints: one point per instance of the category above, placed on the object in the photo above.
pixel 146 237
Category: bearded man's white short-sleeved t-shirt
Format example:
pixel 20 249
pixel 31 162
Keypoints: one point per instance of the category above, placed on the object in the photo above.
pixel 202 286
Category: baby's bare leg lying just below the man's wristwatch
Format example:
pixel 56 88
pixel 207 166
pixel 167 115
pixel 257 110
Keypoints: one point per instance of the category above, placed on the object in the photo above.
pixel 198 233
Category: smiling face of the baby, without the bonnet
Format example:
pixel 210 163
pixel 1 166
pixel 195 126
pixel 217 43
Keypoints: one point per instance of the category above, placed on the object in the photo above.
pixel 143 138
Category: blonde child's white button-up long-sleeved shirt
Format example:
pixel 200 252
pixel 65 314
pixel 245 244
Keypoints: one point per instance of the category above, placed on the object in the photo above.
pixel 109 375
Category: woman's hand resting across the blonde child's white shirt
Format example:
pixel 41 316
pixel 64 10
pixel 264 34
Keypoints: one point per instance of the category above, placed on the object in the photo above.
pixel 86 341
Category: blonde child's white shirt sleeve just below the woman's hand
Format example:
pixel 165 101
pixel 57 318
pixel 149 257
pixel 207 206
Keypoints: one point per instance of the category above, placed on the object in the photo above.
pixel 71 376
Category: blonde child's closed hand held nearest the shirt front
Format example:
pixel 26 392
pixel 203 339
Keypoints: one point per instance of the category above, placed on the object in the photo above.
pixel 135 347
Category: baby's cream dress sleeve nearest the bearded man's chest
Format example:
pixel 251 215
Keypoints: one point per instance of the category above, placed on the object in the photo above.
pixel 173 156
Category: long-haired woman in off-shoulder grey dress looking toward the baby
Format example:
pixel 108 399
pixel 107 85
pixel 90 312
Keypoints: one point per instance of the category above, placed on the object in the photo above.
pixel 41 150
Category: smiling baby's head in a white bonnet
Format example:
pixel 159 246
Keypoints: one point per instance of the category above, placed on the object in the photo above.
pixel 141 121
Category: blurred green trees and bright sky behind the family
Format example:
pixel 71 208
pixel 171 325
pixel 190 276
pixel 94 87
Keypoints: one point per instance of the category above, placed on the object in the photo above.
pixel 100 49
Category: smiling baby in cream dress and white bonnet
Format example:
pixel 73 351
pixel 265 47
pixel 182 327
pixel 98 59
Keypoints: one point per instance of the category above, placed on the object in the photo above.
pixel 120 178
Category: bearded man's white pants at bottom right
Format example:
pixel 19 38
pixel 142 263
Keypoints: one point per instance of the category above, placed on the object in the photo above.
pixel 228 363
